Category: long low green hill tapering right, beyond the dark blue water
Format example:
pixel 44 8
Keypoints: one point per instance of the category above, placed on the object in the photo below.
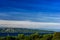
pixel 21 30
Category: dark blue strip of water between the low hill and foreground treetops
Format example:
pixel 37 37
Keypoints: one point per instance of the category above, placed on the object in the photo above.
pixel 16 34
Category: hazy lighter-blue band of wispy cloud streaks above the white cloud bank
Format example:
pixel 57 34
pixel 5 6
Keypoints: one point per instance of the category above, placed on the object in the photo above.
pixel 33 16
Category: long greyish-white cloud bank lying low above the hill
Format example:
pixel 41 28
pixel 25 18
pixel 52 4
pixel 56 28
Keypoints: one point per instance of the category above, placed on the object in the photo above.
pixel 28 24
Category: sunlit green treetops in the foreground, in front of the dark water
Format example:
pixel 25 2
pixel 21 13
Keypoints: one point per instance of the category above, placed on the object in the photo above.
pixel 35 36
